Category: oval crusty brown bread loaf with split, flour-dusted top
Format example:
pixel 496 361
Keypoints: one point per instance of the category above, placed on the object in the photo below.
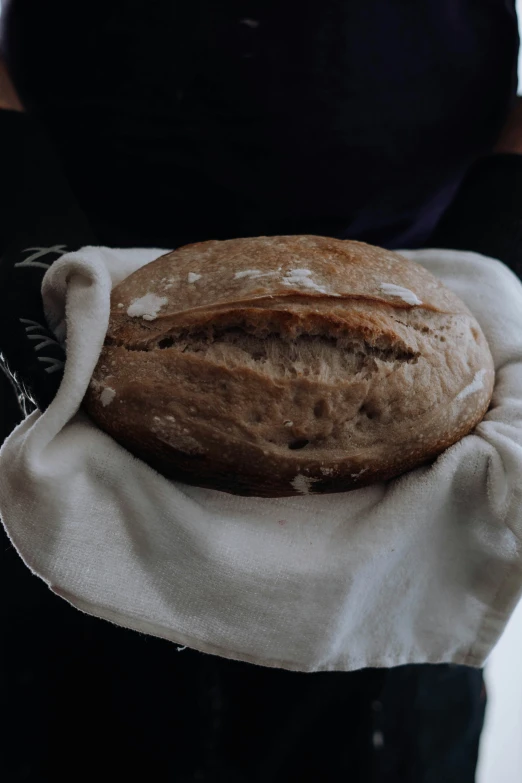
pixel 284 365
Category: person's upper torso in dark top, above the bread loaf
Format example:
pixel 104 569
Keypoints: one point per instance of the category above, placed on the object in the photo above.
pixel 185 121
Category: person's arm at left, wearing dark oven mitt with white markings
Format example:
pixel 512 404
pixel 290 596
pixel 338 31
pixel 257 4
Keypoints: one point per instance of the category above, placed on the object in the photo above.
pixel 39 221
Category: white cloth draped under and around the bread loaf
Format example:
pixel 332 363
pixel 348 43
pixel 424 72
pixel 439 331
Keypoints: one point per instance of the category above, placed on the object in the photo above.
pixel 424 568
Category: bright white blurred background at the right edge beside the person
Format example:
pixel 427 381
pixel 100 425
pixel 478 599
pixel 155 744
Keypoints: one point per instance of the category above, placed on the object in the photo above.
pixel 501 746
